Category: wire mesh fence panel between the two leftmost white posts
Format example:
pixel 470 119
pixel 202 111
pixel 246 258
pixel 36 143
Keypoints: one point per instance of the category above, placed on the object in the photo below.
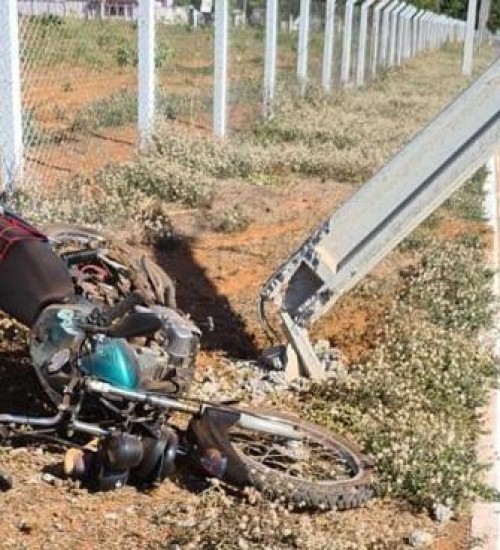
pixel 79 88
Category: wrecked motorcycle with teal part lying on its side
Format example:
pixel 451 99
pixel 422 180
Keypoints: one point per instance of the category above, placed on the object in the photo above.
pixel 115 357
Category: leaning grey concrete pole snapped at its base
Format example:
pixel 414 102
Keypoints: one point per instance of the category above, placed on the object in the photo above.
pixel 413 184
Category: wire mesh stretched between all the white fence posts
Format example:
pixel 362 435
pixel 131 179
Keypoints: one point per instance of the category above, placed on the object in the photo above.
pixel 79 66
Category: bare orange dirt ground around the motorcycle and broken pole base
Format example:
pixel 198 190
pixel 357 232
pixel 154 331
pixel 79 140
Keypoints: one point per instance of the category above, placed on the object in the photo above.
pixel 218 273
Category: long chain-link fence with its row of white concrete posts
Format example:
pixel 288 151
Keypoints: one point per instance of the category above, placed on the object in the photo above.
pixel 216 69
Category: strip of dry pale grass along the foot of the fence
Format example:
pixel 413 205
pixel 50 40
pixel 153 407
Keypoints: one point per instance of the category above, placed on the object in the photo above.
pixel 344 137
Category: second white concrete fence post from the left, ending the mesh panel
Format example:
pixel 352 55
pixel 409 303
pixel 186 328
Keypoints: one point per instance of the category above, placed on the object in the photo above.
pixel 146 95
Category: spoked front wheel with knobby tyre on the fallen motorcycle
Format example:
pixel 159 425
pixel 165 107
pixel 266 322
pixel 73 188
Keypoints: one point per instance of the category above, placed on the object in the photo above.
pixel 296 462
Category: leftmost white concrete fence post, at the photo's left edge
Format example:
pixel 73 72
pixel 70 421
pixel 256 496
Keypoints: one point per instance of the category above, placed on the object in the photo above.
pixel 11 127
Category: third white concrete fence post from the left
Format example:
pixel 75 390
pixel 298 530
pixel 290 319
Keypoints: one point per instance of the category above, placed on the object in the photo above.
pixel 220 67
